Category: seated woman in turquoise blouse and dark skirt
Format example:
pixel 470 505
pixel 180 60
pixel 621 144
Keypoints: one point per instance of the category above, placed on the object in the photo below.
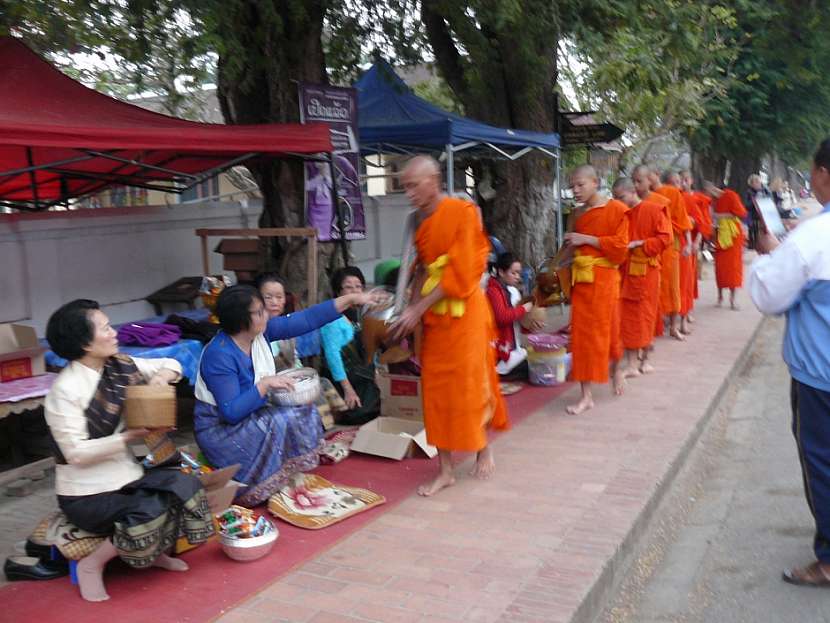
pixel 345 356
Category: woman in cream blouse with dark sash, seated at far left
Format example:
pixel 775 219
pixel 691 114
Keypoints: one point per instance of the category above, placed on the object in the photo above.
pixel 101 487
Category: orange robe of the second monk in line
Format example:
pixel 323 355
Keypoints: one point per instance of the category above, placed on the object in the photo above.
pixel 595 307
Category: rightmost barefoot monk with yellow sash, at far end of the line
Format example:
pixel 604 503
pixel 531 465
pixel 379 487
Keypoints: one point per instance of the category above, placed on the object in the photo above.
pixel 728 211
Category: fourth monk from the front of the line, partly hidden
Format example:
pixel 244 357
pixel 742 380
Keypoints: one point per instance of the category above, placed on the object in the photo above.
pixel 681 245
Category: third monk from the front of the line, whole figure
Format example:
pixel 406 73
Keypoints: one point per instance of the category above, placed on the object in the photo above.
pixel 650 233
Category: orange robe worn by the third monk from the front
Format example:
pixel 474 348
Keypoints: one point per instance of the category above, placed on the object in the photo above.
pixel 640 294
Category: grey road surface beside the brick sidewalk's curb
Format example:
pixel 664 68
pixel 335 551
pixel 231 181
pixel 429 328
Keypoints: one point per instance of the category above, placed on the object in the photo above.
pixel 736 518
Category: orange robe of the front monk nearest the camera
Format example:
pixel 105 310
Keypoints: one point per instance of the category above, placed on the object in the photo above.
pixel 458 361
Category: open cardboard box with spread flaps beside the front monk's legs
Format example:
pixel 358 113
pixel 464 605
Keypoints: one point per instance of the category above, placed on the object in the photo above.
pixel 393 438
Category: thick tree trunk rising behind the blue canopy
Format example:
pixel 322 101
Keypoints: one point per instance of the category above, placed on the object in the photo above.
pixel 517 93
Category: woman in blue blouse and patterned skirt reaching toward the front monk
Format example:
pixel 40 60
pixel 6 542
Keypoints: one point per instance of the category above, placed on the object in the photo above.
pixel 233 420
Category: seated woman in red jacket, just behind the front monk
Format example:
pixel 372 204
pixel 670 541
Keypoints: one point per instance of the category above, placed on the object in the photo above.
pixel 504 298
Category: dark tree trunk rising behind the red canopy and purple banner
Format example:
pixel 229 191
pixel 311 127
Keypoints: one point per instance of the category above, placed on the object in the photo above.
pixel 263 52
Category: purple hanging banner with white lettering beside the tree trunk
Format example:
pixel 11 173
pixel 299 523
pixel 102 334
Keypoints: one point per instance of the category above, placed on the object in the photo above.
pixel 336 106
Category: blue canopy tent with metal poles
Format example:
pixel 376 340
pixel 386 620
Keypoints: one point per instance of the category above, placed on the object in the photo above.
pixel 392 119
